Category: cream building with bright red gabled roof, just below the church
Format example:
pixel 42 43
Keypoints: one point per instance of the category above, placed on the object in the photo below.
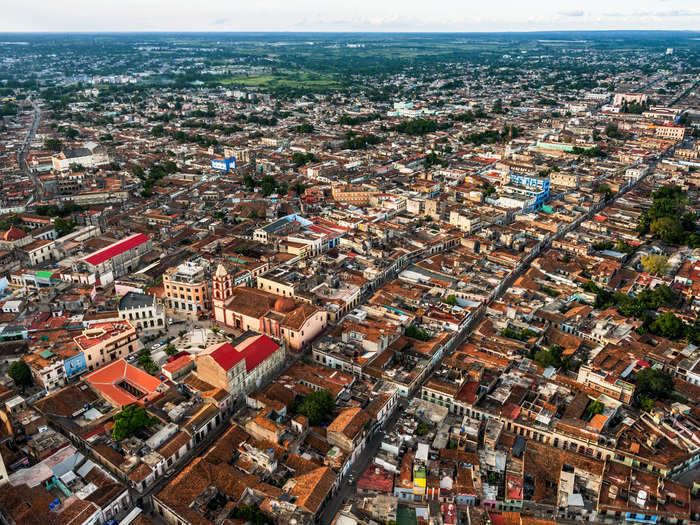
pixel 241 366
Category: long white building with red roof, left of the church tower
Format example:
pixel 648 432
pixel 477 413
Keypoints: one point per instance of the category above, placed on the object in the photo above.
pixel 119 258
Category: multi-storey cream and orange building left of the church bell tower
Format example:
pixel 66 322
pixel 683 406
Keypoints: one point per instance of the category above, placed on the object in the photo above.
pixel 186 290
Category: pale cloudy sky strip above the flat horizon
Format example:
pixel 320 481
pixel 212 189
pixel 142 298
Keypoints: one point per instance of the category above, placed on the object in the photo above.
pixel 347 15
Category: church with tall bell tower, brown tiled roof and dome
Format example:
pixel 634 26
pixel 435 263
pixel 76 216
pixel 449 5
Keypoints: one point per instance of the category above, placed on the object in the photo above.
pixel 283 318
